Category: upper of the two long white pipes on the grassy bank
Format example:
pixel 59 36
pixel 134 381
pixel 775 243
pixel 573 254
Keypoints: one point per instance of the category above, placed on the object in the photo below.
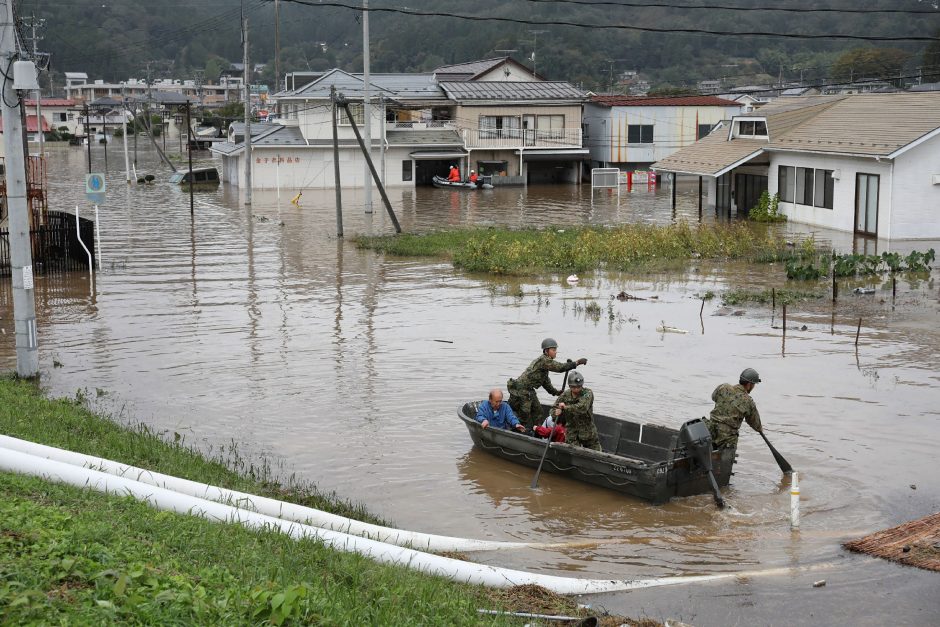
pixel 271 507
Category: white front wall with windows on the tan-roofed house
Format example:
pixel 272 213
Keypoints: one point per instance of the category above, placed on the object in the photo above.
pixel 842 216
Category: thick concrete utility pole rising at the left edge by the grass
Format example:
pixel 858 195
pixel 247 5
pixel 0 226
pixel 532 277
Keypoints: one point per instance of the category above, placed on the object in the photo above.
pixel 21 257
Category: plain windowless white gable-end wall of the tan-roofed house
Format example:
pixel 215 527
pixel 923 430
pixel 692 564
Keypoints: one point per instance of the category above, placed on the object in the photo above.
pixel 915 198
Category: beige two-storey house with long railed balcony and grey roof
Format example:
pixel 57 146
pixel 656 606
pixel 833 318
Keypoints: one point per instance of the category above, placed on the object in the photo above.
pixel 529 131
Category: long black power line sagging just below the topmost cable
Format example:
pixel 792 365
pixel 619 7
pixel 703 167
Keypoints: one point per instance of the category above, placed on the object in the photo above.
pixel 645 29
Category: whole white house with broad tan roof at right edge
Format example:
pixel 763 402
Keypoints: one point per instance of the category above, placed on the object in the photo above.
pixel 867 163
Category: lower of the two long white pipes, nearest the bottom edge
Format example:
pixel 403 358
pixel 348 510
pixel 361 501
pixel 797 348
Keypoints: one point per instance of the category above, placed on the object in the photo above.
pixel 456 570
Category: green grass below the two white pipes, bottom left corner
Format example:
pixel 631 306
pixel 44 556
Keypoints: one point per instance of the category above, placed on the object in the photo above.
pixel 71 556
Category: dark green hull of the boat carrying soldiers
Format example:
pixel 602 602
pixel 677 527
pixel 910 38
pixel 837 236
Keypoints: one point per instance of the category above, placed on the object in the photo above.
pixel 652 467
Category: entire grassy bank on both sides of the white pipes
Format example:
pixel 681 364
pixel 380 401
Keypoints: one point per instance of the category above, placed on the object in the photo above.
pixel 72 556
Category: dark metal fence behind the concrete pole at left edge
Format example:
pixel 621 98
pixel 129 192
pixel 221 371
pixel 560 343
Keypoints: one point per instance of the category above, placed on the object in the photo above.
pixel 55 245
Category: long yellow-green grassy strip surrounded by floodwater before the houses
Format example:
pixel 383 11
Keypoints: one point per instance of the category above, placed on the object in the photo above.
pixel 578 249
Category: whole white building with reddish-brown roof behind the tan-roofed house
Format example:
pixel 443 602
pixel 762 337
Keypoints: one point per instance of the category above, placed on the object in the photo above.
pixel 634 131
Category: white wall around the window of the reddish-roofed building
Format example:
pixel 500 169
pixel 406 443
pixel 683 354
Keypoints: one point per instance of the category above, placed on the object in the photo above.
pixel 673 128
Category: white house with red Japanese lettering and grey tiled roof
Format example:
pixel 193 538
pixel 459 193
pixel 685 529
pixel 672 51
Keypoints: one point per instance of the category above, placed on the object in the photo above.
pixel 411 127
